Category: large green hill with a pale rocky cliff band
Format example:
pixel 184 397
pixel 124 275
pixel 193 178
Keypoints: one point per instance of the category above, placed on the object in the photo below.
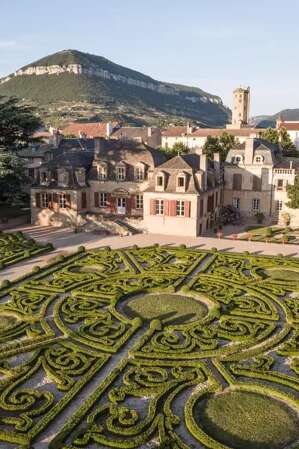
pixel 81 85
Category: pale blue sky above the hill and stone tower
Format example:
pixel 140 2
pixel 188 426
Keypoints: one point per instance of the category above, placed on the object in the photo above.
pixel 216 45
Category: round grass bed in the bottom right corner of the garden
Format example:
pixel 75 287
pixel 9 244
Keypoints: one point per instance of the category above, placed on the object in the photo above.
pixel 243 420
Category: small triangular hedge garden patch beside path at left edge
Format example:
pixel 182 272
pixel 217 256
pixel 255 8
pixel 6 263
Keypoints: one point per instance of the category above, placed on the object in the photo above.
pixel 16 247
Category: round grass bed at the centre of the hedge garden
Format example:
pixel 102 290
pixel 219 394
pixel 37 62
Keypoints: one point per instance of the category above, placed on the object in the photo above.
pixel 170 308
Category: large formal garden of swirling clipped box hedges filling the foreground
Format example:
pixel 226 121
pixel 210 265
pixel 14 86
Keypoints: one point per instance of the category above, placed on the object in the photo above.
pixel 157 347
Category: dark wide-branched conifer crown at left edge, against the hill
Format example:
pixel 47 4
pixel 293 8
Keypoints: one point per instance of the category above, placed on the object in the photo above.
pixel 17 124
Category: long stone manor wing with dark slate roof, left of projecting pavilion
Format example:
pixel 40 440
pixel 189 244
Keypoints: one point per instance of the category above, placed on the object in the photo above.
pixel 93 175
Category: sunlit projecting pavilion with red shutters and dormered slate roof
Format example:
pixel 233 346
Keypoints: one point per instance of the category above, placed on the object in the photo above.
pixel 184 196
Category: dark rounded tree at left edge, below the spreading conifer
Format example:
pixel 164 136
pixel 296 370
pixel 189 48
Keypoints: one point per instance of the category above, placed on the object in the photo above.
pixel 12 177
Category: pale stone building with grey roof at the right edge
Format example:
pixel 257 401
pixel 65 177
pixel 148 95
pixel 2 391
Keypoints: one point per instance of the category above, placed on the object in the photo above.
pixel 256 176
